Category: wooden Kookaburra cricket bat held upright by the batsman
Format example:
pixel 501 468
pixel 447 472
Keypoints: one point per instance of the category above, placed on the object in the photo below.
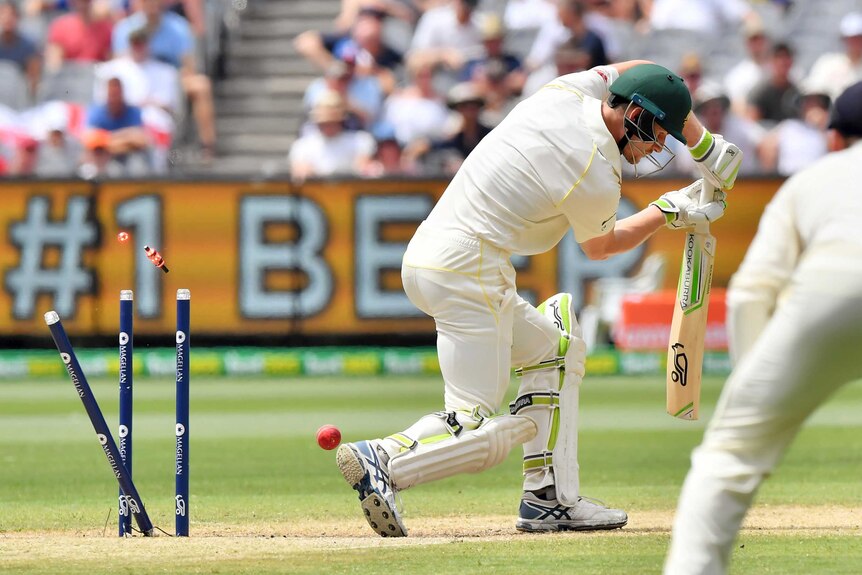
pixel 688 328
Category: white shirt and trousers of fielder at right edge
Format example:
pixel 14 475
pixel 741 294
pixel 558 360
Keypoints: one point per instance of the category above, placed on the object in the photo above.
pixel 795 316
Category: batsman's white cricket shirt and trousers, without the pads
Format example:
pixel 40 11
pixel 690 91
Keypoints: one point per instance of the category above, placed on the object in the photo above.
pixel 551 165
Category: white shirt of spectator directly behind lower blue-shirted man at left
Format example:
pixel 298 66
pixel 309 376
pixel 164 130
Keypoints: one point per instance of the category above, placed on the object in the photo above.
pixel 149 82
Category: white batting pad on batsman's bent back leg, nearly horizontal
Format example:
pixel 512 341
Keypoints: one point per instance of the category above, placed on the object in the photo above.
pixel 469 452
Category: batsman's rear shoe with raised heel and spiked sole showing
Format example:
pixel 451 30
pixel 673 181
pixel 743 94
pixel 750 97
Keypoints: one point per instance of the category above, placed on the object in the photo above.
pixel 364 465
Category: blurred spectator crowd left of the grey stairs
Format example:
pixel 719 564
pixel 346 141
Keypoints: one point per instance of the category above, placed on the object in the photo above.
pixel 100 88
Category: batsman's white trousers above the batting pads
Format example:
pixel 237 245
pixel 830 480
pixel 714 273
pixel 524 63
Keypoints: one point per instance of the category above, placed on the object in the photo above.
pixel 484 327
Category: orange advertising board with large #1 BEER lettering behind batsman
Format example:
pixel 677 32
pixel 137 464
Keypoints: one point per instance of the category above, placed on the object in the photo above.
pixel 271 258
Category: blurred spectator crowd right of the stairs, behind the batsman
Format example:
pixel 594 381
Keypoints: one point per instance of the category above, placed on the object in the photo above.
pixel 410 87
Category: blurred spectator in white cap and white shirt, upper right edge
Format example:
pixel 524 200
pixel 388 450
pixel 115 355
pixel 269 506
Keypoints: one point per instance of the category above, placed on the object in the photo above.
pixel 837 70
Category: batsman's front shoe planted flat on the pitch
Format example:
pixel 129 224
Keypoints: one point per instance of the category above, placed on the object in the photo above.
pixel 538 514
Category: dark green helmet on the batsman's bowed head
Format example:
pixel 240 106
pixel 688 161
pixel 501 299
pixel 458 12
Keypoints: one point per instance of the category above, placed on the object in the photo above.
pixel 658 91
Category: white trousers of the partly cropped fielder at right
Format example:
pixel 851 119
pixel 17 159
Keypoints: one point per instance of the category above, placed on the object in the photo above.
pixel 810 348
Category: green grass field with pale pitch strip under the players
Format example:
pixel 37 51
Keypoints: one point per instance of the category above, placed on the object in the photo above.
pixel 266 499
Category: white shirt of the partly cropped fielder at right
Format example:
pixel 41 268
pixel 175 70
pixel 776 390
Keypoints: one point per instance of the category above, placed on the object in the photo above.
pixel 804 236
